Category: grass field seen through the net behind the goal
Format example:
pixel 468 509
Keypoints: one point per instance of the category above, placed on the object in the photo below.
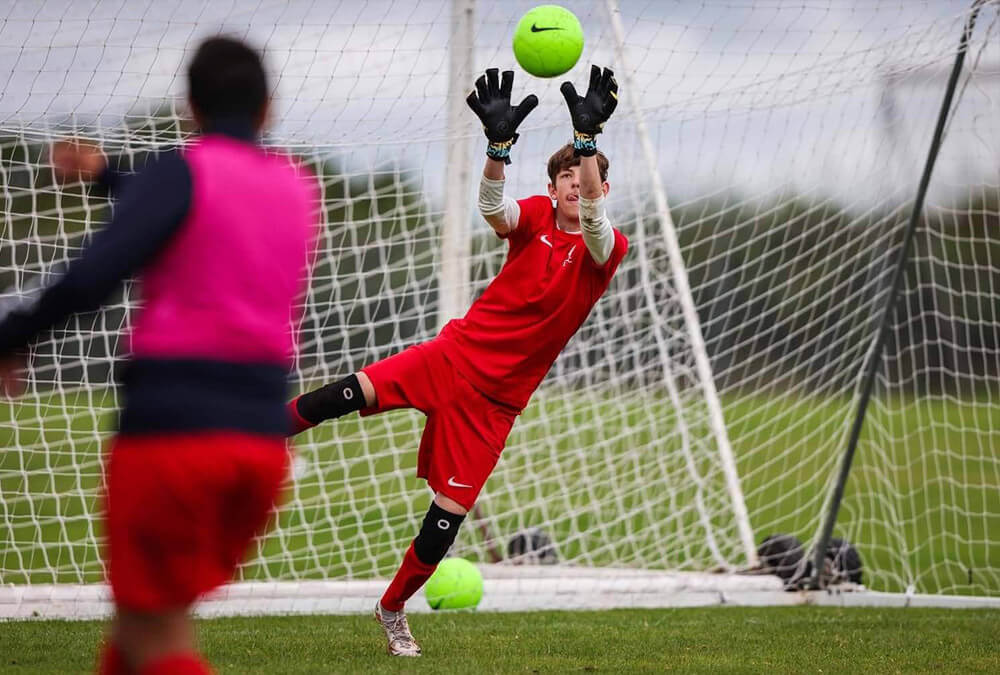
pixel 923 503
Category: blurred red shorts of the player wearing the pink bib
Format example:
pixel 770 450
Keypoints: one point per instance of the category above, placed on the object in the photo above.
pixel 182 509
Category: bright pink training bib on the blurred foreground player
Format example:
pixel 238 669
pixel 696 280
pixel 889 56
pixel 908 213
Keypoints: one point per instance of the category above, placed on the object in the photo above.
pixel 226 285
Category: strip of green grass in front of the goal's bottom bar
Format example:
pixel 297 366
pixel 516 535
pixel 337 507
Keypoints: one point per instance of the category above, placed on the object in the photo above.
pixel 752 640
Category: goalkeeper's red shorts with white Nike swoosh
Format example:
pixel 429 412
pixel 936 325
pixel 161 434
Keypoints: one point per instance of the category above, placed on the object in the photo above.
pixel 465 431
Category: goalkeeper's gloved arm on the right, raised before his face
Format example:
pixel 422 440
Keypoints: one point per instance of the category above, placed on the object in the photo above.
pixel 589 113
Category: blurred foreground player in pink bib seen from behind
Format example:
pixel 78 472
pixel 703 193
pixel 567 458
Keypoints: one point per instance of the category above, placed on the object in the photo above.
pixel 219 235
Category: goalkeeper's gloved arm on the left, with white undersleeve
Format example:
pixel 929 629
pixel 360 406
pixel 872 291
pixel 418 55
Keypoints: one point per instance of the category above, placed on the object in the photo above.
pixel 491 103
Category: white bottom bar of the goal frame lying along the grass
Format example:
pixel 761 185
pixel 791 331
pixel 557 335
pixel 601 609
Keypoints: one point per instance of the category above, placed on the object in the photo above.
pixel 506 588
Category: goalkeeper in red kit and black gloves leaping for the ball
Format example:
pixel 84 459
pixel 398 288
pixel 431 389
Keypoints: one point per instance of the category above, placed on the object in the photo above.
pixel 473 380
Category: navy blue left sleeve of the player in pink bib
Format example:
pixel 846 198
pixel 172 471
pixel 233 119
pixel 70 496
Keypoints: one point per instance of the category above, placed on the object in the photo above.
pixel 150 208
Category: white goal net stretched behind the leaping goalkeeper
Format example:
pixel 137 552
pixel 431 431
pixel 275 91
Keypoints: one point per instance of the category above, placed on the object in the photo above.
pixel 706 402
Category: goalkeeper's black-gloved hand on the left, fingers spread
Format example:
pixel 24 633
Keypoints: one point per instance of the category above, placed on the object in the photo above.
pixel 491 103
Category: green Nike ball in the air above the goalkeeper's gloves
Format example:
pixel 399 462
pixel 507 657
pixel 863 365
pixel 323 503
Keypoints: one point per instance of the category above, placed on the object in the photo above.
pixel 548 41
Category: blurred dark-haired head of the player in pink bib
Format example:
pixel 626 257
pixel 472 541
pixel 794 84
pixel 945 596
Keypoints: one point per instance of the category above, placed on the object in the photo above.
pixel 226 78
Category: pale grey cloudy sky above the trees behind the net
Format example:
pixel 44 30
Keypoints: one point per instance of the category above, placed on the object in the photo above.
pixel 835 96
